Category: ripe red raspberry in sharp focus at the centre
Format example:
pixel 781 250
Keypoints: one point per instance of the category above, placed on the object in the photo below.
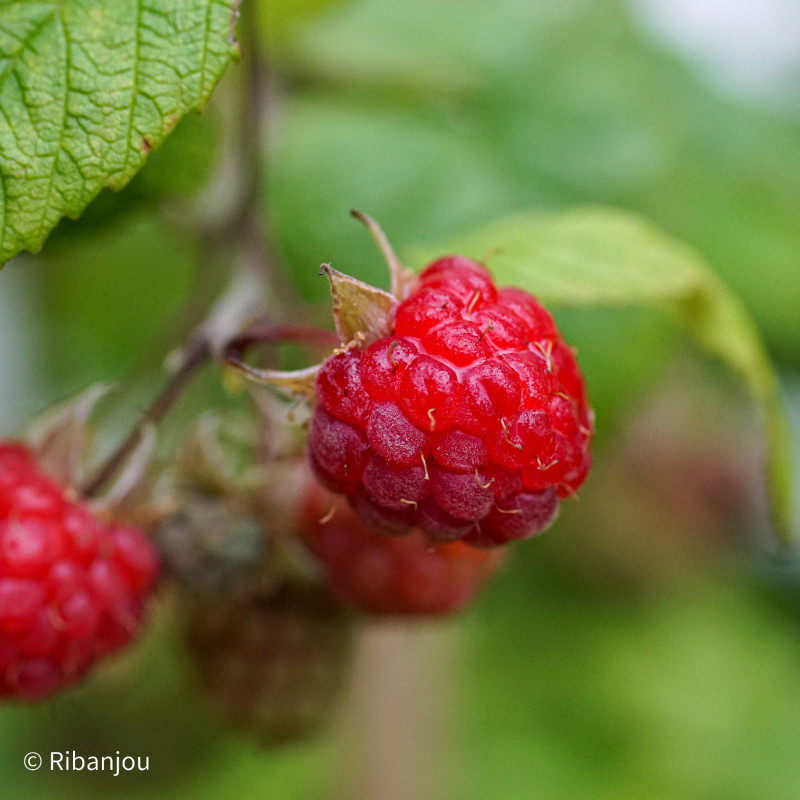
pixel 469 421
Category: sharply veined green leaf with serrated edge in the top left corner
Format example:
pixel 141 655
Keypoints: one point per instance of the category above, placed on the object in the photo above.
pixel 87 89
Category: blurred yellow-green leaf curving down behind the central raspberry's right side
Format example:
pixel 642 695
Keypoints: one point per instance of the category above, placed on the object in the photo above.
pixel 602 257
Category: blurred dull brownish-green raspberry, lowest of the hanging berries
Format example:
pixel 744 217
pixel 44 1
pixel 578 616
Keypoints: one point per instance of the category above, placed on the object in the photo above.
pixel 271 663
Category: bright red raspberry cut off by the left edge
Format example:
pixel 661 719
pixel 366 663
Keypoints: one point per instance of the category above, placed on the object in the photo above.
pixel 71 588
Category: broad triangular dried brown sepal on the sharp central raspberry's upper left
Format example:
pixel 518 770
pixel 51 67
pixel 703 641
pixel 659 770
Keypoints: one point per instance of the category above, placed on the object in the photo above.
pixel 362 313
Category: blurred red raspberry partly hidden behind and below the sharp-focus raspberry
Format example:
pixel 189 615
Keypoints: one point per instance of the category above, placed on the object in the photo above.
pixel 393 575
